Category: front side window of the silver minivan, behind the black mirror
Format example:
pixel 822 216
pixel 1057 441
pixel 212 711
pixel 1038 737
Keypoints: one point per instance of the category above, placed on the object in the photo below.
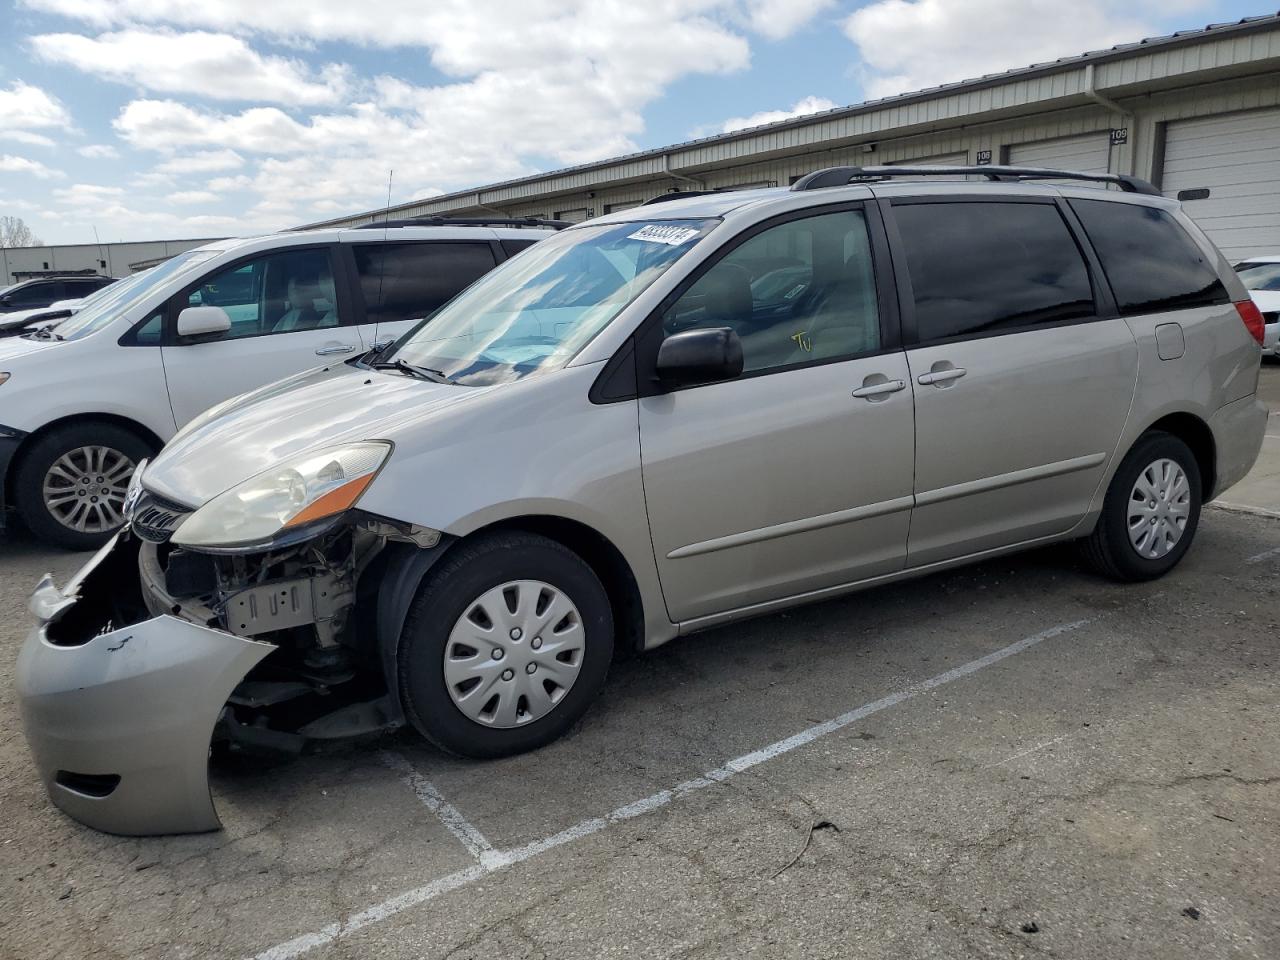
pixel 794 294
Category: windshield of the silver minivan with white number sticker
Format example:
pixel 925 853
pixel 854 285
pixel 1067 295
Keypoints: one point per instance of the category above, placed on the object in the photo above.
pixel 537 312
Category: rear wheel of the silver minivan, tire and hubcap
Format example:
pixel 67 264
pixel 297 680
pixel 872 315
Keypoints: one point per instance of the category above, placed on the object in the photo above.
pixel 1150 514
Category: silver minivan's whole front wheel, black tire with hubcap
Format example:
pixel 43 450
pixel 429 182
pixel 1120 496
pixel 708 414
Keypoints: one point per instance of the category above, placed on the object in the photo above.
pixel 454 607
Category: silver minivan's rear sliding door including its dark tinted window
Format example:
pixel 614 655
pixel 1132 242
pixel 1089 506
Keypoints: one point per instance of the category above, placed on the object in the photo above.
pixel 1022 371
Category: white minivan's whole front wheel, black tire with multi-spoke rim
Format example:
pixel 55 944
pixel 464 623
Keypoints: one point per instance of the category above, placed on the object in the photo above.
pixel 116 447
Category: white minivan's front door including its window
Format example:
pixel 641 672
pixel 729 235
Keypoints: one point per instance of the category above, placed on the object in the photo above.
pixel 287 316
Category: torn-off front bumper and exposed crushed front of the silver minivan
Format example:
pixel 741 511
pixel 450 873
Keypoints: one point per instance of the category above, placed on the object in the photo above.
pixel 156 656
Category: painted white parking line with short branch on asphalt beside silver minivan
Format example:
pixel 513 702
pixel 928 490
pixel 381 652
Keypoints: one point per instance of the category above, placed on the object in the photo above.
pixel 495 861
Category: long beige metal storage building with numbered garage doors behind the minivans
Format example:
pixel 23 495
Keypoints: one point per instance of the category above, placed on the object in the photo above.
pixel 1195 111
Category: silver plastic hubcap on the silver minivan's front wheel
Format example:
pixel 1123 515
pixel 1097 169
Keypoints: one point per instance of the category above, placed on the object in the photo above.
pixel 514 655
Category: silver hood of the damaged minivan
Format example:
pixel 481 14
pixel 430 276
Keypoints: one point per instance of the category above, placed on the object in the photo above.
pixel 319 409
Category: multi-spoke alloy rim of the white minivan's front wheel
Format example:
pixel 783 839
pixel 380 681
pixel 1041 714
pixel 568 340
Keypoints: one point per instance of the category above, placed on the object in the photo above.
pixel 85 490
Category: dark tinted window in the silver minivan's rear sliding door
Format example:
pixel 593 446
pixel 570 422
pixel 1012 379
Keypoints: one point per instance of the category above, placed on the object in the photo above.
pixel 981 268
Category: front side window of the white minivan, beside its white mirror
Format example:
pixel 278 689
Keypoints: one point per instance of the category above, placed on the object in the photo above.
pixel 282 292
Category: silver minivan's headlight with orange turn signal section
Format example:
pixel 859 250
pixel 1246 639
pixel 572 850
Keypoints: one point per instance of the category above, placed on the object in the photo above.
pixel 295 495
